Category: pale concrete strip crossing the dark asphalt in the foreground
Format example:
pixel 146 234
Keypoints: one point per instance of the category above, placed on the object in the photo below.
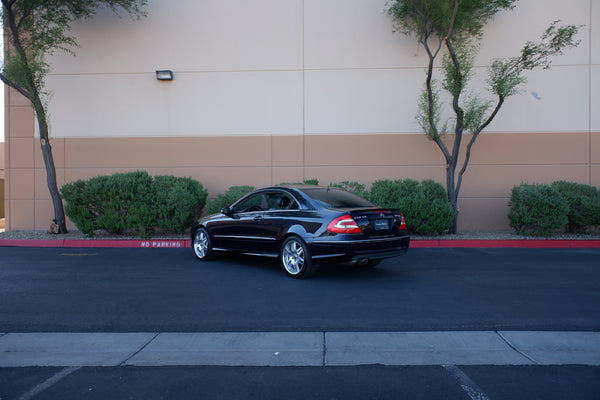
pixel 300 348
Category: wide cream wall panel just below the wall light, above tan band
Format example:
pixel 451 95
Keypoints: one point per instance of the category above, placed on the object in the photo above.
pixel 193 104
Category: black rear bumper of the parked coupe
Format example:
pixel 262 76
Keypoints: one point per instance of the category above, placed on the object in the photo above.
pixel 328 249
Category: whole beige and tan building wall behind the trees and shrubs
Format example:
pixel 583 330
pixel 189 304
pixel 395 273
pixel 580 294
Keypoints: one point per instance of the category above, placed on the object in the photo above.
pixel 278 91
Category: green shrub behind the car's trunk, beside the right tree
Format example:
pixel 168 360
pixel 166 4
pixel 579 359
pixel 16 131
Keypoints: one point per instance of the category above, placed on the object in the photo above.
pixel 425 205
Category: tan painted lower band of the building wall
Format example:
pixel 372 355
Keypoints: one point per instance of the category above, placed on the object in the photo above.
pixel 499 162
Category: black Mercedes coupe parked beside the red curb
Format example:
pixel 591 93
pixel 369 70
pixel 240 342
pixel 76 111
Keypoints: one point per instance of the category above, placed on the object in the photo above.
pixel 303 226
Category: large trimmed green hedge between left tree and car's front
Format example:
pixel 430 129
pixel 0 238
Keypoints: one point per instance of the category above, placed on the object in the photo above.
pixel 133 201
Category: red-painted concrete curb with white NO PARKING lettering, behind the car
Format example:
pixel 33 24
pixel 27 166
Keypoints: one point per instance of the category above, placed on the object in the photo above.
pixel 415 243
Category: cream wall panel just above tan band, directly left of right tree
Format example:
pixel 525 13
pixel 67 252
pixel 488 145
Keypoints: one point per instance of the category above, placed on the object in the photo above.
pixel 362 101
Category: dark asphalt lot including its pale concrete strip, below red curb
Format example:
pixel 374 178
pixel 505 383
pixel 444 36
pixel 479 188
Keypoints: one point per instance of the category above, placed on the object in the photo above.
pixel 476 323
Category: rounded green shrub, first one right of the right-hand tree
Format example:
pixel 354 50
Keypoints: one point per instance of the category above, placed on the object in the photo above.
pixel 537 209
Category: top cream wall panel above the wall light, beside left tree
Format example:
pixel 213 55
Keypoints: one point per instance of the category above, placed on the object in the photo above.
pixel 191 35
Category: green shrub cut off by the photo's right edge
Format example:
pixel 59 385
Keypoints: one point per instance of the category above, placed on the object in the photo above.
pixel 584 205
